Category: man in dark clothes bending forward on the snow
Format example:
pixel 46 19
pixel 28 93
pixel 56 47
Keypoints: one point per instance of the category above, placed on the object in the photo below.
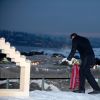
pixel 83 46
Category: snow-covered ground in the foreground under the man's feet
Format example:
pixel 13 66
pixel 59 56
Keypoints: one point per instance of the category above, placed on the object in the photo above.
pixel 54 95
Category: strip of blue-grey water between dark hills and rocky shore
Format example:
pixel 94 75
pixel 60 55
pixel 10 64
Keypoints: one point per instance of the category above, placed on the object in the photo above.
pixel 64 51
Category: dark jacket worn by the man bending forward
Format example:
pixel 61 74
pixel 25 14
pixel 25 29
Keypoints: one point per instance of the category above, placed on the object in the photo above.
pixel 83 46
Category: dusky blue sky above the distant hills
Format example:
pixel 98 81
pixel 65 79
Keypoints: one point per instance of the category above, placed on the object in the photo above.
pixel 51 16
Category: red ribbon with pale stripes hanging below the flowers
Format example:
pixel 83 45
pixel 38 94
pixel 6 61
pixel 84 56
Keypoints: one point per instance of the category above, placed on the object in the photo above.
pixel 74 79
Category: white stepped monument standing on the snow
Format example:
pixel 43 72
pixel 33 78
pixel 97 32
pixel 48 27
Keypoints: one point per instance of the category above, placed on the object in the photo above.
pixel 24 64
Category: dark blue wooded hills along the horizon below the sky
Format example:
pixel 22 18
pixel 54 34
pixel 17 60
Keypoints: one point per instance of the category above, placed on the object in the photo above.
pixel 41 40
